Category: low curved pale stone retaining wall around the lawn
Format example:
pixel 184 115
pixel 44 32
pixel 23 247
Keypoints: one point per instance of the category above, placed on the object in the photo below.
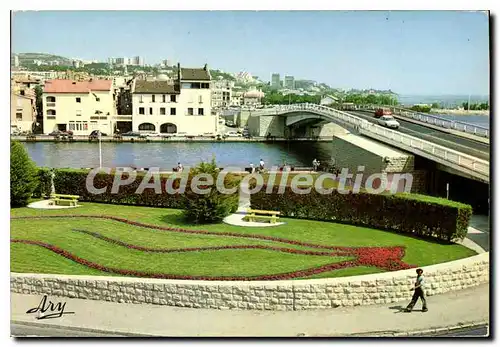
pixel 382 288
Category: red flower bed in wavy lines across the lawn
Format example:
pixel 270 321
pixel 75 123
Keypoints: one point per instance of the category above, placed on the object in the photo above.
pixel 387 258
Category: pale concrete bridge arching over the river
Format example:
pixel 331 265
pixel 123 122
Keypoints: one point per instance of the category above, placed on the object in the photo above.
pixel 451 157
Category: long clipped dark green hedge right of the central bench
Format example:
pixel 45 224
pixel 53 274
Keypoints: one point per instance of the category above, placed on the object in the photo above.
pixel 419 215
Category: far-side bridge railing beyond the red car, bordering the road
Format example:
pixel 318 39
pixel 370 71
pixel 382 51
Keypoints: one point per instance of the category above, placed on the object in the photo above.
pixel 436 120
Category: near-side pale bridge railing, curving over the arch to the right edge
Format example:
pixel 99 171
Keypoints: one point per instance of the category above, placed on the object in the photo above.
pixel 450 155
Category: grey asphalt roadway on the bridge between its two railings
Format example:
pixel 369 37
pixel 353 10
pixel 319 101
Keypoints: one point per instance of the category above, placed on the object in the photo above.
pixel 458 143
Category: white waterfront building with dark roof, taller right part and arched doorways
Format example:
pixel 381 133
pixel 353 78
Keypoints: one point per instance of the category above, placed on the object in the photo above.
pixel 180 105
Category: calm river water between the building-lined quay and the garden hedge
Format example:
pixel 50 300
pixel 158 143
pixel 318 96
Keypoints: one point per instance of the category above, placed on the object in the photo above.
pixel 167 155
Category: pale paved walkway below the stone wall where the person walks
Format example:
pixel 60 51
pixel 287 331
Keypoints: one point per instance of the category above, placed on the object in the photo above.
pixel 445 310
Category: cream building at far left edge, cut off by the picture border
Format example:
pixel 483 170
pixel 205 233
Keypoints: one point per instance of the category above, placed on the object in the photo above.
pixel 22 109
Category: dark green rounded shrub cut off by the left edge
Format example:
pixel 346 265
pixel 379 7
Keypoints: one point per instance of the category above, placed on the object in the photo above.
pixel 23 171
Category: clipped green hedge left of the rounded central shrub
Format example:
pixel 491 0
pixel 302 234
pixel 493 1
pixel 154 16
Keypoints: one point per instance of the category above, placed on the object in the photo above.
pixel 73 182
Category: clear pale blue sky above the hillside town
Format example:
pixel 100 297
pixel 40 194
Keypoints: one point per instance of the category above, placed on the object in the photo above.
pixel 409 52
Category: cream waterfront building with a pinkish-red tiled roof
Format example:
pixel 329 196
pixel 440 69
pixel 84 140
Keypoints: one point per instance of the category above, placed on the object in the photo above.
pixel 79 106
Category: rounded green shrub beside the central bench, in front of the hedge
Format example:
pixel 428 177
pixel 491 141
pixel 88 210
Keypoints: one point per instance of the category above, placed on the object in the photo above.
pixel 211 207
